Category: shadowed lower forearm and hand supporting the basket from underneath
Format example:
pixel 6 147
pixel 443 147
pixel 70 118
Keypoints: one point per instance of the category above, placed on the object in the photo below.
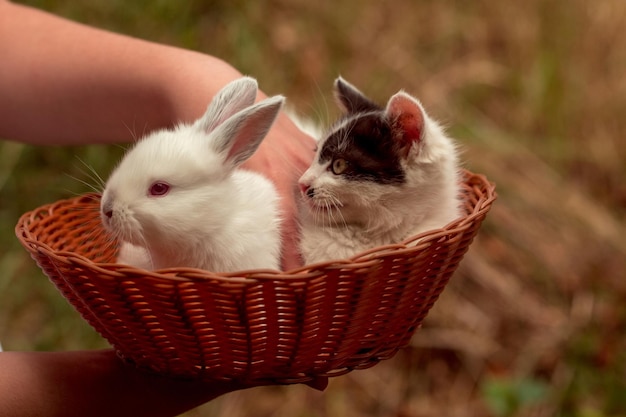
pixel 97 383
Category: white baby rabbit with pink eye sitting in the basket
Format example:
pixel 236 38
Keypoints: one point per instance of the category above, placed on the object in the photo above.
pixel 178 198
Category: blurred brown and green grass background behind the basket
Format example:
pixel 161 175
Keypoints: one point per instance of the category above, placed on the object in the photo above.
pixel 533 323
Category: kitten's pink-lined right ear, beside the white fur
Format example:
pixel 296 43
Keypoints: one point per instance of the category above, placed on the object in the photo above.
pixel 407 116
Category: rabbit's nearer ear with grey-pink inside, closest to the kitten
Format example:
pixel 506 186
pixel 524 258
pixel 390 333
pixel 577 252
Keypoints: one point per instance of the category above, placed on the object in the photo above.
pixel 241 135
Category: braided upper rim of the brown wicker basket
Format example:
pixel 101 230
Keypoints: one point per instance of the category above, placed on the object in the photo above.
pixel 304 272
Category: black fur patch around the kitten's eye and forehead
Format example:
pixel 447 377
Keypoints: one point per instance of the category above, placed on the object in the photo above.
pixel 366 142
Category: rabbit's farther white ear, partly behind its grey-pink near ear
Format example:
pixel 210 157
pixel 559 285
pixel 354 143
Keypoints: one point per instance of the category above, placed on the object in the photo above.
pixel 232 98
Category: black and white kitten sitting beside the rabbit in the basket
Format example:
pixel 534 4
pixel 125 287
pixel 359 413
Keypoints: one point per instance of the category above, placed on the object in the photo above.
pixel 380 176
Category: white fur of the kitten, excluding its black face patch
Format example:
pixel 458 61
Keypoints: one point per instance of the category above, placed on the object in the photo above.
pixel 347 217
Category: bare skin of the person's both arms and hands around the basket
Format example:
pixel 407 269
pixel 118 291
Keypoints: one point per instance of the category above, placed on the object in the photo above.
pixel 66 83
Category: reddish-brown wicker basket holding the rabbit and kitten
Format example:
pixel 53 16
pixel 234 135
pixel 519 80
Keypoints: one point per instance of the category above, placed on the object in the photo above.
pixel 254 326
